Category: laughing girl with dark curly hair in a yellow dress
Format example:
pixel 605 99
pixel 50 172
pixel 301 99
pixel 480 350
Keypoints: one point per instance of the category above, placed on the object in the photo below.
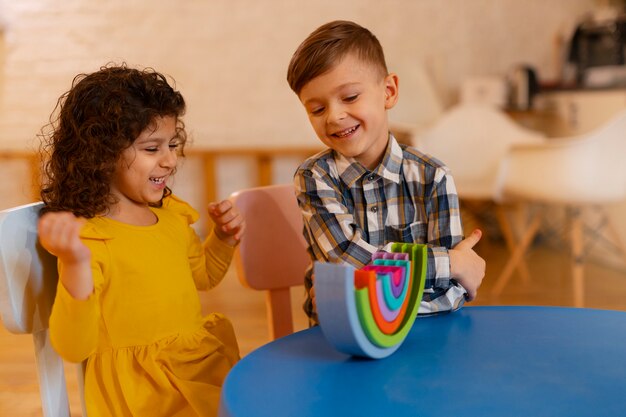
pixel 129 262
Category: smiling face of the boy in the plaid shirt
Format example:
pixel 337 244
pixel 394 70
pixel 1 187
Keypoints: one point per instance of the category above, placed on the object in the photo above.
pixel 347 107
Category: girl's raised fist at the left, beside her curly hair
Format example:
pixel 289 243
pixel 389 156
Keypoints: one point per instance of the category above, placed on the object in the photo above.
pixel 59 235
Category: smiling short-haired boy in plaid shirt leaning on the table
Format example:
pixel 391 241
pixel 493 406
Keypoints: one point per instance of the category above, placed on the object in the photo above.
pixel 367 191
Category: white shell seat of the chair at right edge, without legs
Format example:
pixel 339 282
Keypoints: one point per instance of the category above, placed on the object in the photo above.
pixel 583 169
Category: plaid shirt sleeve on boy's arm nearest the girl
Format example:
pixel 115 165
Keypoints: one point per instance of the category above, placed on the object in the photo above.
pixel 330 229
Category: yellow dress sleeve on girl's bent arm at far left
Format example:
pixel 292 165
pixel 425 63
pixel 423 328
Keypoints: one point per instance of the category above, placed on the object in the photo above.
pixel 74 324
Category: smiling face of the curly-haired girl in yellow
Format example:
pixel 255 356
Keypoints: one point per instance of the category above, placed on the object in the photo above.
pixel 144 168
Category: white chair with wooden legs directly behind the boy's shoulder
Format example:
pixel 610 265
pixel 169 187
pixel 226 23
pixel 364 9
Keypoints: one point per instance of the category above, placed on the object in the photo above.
pixel 472 140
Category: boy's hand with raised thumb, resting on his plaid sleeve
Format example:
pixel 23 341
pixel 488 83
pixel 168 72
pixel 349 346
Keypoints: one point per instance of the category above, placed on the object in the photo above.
pixel 466 266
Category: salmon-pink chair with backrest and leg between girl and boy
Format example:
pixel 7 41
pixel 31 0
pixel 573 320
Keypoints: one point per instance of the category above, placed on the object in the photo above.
pixel 272 254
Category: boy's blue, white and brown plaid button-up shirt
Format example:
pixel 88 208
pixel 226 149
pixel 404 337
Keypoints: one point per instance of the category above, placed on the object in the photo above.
pixel 349 213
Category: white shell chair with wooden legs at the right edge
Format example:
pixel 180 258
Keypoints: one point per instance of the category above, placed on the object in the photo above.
pixel 582 172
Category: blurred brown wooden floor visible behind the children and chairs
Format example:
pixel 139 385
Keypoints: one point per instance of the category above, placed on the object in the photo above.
pixel 605 289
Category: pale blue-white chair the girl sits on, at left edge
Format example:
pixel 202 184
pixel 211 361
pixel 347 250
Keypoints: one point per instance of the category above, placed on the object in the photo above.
pixel 28 279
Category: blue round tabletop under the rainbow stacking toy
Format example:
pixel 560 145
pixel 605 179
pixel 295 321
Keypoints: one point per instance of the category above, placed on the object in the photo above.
pixel 478 361
